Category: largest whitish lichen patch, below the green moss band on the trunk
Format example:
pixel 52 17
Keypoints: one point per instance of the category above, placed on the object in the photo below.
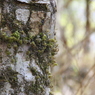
pixel 22 67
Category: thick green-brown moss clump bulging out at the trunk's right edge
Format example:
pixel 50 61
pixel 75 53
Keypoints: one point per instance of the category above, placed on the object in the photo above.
pixel 44 49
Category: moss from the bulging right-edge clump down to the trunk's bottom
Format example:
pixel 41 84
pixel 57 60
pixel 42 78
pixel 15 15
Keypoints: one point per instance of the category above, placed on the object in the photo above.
pixel 43 50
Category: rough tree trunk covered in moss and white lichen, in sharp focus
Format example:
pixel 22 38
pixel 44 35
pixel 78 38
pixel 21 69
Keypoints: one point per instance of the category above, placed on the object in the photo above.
pixel 27 46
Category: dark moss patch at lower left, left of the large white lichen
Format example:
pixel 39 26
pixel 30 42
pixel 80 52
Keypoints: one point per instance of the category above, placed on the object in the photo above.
pixel 8 75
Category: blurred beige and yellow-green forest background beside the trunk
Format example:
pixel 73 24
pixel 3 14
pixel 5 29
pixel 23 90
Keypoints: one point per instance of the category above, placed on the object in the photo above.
pixel 75 31
